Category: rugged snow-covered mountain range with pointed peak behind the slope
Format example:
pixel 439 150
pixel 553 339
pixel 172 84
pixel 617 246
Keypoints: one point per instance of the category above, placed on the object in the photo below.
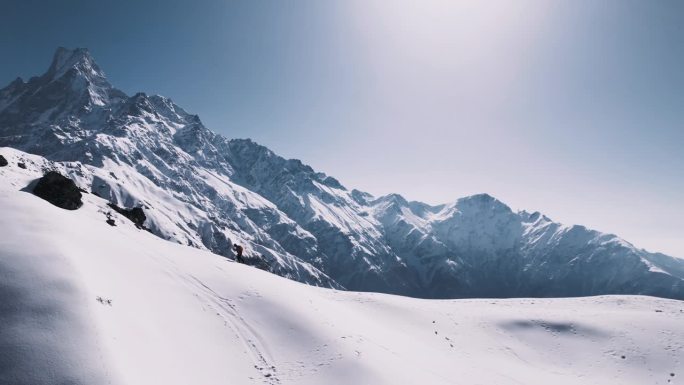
pixel 201 189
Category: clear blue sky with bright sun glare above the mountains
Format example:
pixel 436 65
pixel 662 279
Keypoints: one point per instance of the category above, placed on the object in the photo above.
pixel 573 108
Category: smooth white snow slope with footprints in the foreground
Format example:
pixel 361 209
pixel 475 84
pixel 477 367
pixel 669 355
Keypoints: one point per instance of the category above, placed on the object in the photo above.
pixel 179 315
